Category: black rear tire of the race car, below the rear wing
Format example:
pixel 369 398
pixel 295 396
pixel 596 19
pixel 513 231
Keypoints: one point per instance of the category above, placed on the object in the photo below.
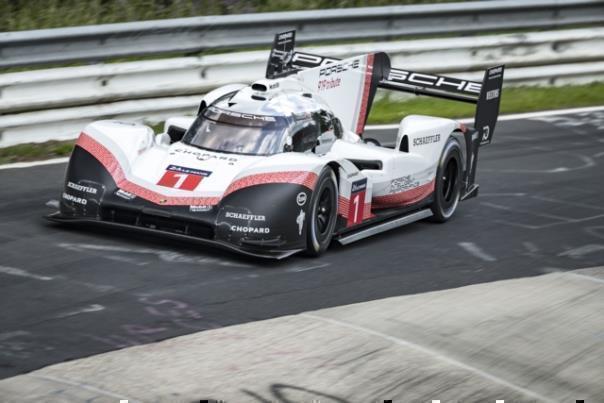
pixel 447 190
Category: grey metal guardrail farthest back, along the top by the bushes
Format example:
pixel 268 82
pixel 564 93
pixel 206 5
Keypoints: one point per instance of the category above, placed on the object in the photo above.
pixel 190 35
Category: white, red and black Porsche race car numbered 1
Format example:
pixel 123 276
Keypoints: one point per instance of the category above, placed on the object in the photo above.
pixel 281 166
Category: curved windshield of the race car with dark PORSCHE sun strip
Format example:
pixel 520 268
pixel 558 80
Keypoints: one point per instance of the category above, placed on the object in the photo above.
pixel 240 133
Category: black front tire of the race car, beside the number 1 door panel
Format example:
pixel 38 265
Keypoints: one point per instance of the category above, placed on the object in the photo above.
pixel 321 220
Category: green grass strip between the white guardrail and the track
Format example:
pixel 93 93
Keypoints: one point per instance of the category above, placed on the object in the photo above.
pixel 514 100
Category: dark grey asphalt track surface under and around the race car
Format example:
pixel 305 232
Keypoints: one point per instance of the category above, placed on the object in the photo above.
pixel 69 293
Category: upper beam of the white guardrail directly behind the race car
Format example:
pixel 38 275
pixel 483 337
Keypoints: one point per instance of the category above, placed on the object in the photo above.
pixel 71 86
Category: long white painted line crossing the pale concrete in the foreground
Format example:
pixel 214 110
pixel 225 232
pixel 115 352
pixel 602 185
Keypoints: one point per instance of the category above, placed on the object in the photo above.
pixel 434 354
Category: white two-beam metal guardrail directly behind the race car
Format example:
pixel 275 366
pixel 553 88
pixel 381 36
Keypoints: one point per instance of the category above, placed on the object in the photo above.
pixel 57 103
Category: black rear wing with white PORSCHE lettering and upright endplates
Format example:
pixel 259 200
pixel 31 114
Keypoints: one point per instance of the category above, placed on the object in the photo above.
pixel 284 60
